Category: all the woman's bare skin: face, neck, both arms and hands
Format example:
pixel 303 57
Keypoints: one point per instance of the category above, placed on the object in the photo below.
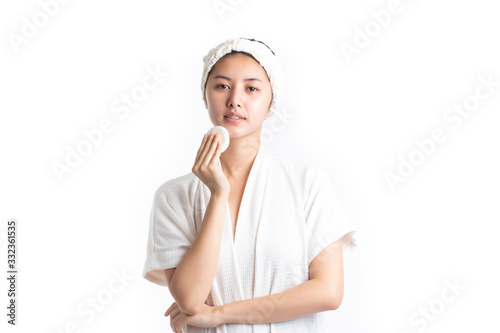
pixel 232 91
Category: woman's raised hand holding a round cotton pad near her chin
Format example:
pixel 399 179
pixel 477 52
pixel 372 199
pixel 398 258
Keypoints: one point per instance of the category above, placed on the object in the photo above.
pixel 206 165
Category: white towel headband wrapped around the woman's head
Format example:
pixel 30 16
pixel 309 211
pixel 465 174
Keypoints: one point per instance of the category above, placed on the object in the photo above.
pixel 261 52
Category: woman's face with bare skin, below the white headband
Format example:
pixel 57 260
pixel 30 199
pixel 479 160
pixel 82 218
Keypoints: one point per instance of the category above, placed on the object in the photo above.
pixel 238 83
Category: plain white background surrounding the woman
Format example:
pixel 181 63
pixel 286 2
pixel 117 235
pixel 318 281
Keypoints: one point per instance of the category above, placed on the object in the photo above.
pixel 354 118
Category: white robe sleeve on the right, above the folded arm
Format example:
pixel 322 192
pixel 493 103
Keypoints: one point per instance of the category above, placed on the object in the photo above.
pixel 326 220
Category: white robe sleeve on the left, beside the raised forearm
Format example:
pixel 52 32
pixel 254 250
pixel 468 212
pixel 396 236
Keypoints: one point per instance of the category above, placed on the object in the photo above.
pixel 170 232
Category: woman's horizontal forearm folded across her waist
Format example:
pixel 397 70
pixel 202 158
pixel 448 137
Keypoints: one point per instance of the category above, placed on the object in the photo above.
pixel 302 300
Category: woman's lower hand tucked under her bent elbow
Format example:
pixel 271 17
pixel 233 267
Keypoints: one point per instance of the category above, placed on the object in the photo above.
pixel 178 319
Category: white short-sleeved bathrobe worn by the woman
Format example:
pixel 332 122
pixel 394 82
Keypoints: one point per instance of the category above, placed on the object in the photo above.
pixel 289 212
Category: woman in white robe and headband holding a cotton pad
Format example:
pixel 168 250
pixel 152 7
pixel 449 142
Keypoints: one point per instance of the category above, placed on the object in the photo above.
pixel 256 245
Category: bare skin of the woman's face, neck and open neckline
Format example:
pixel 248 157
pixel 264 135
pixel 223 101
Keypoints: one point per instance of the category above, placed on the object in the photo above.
pixel 251 99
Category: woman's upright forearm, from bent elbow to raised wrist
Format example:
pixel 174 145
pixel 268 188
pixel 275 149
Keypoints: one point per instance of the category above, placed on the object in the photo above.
pixel 193 278
